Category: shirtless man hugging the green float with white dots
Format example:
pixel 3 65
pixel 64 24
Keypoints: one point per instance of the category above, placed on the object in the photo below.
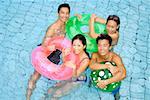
pixel 104 54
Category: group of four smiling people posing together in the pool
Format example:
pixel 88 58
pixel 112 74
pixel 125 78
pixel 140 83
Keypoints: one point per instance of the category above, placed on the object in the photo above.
pixel 105 53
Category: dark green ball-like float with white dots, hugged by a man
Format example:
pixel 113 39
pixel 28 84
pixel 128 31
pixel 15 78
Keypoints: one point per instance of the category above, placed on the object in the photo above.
pixel 104 74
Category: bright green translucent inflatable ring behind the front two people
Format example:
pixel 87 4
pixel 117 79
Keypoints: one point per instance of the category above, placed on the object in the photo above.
pixel 76 26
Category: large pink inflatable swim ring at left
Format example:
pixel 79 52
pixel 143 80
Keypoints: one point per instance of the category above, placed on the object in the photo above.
pixel 48 69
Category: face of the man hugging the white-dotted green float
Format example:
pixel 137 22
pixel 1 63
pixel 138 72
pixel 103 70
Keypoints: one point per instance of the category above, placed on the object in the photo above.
pixel 103 47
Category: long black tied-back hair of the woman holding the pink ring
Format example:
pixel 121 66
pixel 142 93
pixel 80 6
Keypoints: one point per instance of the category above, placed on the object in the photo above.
pixel 82 39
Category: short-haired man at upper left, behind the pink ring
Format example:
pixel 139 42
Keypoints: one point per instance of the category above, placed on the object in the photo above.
pixel 56 29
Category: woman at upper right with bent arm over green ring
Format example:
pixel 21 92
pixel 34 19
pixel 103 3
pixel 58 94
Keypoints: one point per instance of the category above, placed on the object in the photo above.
pixel 112 27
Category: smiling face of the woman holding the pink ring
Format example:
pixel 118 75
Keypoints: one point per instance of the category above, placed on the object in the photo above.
pixel 78 47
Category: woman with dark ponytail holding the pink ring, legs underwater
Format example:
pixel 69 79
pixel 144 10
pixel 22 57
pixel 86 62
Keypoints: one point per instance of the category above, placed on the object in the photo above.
pixel 79 48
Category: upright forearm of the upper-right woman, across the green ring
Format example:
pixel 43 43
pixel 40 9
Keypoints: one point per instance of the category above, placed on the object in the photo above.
pixel 91 27
